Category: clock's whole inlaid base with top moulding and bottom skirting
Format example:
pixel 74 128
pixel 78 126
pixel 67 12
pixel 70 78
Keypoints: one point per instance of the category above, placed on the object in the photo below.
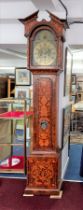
pixel 43 174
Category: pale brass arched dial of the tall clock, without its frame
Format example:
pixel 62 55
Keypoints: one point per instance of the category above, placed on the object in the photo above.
pixel 44 49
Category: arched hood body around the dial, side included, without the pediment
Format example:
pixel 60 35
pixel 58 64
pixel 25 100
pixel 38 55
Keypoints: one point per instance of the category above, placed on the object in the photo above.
pixel 45 48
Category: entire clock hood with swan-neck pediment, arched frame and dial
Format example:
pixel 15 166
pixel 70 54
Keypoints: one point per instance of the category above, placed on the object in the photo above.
pixel 39 56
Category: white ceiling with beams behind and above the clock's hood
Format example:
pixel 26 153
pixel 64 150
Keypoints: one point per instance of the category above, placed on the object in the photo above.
pixel 12 10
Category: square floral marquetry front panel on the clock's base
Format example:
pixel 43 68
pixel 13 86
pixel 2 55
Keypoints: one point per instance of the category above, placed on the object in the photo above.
pixel 43 172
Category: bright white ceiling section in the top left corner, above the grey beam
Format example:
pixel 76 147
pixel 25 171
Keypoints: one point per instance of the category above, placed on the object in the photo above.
pixel 16 9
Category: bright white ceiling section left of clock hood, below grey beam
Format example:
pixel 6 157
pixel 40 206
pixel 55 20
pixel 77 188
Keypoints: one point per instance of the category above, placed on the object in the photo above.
pixel 12 32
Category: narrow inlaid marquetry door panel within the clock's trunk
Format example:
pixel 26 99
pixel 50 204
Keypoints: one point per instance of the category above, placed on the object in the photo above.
pixel 44 126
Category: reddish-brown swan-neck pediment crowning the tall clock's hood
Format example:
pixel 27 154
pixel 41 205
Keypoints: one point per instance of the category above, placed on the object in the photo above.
pixel 32 22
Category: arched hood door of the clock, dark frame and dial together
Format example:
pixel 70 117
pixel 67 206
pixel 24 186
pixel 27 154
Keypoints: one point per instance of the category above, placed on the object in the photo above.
pixel 43 47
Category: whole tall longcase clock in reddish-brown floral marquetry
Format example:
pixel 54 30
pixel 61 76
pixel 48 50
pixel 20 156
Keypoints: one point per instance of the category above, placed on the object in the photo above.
pixel 45 59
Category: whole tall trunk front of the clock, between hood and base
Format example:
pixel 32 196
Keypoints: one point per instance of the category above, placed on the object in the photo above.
pixel 45 132
